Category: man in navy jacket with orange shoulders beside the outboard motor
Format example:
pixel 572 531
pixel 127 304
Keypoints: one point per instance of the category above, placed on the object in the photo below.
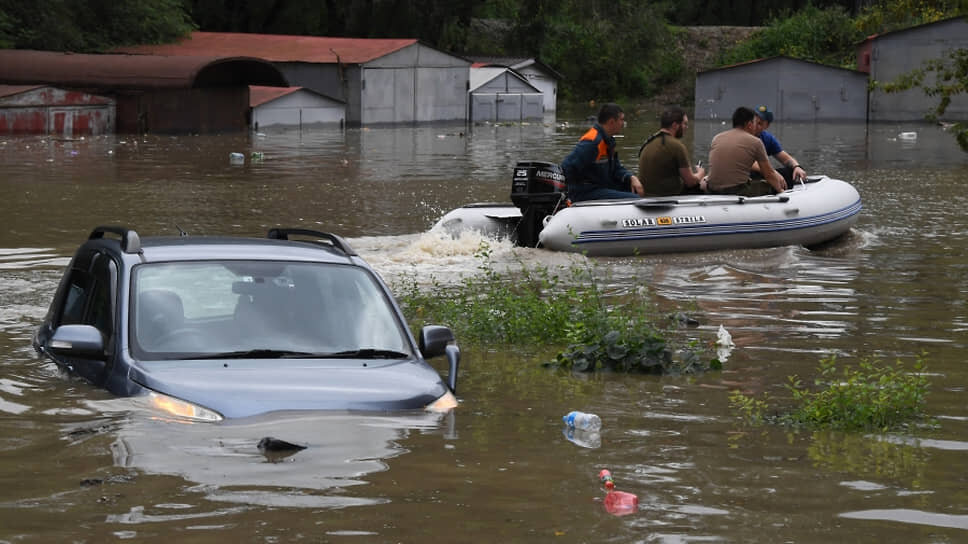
pixel 592 169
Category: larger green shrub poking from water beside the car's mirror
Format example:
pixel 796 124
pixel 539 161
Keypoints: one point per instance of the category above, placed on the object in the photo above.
pixel 538 307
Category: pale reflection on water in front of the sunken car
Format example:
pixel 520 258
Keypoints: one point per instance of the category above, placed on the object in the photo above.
pixel 340 449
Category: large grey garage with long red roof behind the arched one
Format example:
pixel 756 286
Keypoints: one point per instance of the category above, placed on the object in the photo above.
pixel 381 81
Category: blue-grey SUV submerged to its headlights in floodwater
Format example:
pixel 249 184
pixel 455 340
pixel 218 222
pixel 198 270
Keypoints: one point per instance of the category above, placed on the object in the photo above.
pixel 222 327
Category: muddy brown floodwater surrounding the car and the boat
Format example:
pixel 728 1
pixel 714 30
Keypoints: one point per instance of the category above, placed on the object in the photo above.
pixel 77 465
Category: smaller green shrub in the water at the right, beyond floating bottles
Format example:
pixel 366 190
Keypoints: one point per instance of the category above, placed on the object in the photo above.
pixel 871 396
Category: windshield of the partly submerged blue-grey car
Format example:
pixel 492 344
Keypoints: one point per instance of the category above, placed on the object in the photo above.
pixel 259 309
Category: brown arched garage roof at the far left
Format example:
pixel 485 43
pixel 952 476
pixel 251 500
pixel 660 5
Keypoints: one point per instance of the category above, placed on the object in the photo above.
pixel 19 67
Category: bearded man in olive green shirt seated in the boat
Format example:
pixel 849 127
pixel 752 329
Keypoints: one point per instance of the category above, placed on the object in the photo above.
pixel 664 167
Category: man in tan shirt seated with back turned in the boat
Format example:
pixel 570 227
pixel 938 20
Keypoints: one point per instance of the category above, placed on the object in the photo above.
pixel 731 154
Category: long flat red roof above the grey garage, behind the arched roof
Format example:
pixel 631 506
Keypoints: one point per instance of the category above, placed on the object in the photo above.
pixel 278 48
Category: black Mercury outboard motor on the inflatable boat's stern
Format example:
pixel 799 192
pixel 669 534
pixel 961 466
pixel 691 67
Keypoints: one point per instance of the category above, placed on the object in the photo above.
pixel 538 190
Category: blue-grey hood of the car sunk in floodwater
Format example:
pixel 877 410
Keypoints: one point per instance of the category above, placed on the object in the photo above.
pixel 236 388
